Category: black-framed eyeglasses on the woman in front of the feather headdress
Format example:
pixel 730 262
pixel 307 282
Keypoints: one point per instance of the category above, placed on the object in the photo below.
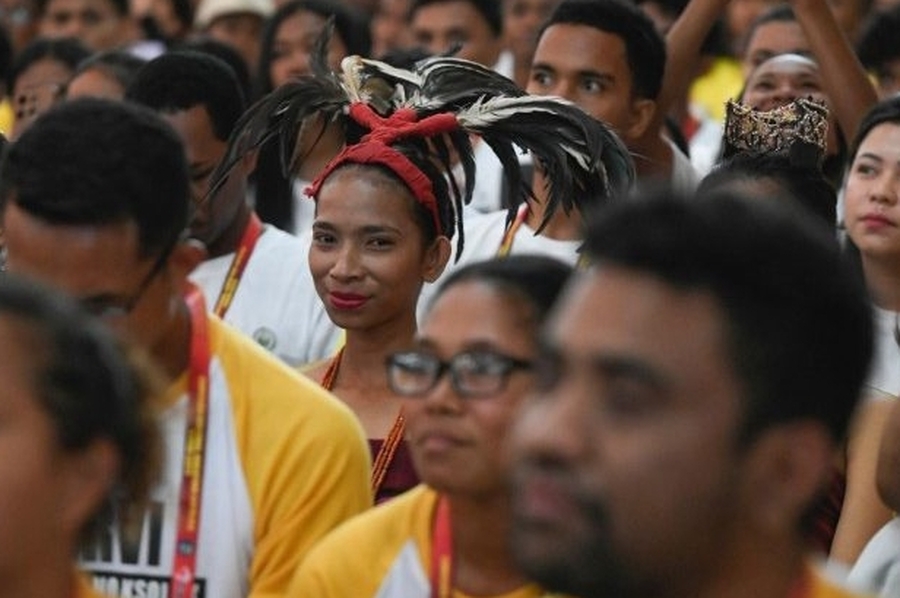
pixel 472 374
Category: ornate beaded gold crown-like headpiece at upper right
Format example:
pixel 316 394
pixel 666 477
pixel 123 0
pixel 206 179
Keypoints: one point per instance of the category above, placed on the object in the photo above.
pixel 801 125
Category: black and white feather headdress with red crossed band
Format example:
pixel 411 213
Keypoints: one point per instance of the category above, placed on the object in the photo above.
pixel 423 116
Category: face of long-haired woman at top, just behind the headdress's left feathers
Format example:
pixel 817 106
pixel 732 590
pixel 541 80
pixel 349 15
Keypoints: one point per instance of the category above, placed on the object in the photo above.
pixel 293 46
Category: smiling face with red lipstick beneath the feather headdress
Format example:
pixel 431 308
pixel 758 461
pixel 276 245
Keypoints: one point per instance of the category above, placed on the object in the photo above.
pixel 368 257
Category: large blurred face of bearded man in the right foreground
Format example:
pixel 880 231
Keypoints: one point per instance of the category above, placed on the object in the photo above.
pixel 645 472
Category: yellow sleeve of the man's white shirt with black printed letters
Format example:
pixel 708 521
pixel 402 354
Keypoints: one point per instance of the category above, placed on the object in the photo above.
pixel 301 478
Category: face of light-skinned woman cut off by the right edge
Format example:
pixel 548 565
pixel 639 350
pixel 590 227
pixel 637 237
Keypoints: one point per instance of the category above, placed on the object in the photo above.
pixel 872 191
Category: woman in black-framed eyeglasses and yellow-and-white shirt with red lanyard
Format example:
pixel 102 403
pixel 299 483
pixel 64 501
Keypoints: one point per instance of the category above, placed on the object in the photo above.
pixel 469 369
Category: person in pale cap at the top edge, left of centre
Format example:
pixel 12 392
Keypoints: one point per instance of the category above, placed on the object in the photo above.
pixel 238 23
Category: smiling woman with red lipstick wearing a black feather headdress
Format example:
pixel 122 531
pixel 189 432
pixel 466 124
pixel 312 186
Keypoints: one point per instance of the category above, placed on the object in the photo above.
pixel 388 204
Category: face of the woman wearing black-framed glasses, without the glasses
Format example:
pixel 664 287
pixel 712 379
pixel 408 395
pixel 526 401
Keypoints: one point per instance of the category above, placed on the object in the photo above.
pixel 457 442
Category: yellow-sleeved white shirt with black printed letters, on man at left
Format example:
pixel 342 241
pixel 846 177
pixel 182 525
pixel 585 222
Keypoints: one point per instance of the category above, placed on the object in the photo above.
pixel 284 463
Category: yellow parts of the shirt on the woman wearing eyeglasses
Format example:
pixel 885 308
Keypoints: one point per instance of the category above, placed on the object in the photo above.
pixel 354 560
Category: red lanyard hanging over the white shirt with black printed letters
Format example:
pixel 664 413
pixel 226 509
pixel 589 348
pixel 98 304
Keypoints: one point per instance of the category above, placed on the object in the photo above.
pixel 185 562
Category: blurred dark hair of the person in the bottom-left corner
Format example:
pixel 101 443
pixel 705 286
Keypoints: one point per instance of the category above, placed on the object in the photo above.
pixel 87 383
